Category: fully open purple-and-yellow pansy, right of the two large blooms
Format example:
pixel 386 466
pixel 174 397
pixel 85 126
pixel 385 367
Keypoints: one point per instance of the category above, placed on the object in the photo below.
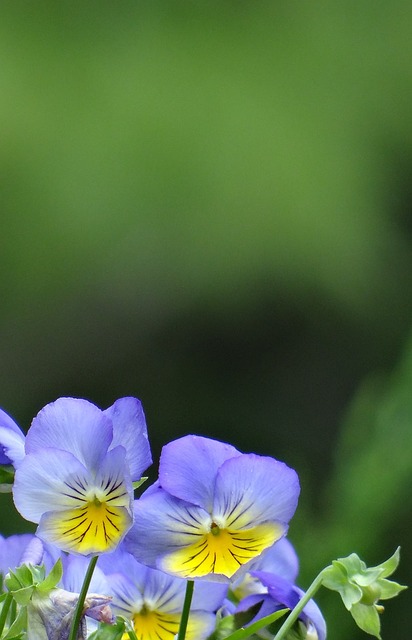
pixel 213 509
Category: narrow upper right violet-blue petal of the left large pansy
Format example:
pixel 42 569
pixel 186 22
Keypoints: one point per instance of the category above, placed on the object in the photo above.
pixel 130 431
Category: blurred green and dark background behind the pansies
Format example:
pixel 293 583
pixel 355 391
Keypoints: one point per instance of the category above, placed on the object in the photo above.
pixel 209 206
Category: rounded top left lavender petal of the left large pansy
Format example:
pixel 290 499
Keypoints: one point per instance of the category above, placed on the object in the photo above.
pixel 73 425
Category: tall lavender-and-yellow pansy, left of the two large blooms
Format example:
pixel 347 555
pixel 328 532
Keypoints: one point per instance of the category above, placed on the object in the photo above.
pixel 76 477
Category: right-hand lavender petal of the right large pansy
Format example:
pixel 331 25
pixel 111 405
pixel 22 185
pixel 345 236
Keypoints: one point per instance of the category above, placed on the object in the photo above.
pixel 252 489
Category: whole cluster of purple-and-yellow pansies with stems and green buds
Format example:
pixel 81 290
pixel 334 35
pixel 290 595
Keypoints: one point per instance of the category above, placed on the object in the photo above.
pixel 201 554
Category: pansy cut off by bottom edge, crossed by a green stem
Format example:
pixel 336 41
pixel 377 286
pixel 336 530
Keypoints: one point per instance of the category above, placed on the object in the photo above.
pixel 153 601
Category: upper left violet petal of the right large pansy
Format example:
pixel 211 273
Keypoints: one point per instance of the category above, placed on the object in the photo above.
pixel 188 468
